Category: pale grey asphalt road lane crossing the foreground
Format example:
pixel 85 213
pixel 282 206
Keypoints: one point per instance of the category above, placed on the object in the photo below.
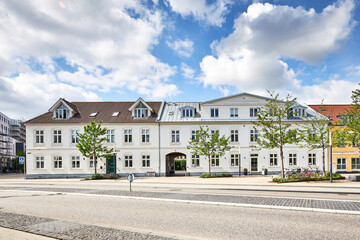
pixel 183 220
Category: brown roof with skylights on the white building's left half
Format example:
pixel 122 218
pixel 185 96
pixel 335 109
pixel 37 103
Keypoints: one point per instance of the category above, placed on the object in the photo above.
pixel 105 111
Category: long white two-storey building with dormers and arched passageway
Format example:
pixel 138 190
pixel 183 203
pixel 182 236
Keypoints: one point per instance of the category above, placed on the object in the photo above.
pixel 149 135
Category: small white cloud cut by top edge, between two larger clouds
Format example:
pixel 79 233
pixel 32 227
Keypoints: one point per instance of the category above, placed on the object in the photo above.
pixel 213 14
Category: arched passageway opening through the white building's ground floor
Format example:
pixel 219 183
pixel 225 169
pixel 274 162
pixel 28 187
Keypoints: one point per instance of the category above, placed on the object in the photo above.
pixel 175 164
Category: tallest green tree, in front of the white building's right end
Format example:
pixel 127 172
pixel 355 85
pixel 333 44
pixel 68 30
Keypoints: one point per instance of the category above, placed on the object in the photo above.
pixel 272 126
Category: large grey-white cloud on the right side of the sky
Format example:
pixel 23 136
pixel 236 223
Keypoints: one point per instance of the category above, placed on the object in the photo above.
pixel 253 57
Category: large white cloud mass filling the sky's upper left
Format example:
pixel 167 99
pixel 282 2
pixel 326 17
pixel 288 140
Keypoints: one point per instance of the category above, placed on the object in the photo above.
pixel 90 36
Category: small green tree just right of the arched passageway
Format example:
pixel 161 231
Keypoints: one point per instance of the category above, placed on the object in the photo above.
pixel 208 144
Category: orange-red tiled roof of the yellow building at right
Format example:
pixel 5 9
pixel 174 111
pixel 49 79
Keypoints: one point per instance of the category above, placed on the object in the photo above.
pixel 332 111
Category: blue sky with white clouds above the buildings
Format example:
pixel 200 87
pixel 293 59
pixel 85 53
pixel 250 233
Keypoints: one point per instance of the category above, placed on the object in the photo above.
pixel 175 50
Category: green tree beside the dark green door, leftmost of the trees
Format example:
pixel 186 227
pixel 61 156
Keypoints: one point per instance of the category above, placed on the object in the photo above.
pixel 91 142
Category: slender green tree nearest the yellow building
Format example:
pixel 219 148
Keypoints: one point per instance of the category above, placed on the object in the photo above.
pixel 315 134
